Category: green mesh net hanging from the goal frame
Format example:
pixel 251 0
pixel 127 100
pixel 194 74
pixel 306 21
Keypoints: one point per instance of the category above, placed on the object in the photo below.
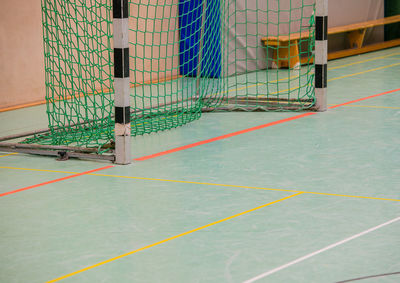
pixel 187 57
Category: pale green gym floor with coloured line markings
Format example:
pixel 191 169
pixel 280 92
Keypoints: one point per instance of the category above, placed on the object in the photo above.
pixel 304 198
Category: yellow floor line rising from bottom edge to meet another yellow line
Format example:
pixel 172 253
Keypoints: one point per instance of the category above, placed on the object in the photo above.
pixel 171 238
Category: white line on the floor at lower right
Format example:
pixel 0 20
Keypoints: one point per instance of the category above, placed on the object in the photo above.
pixel 300 259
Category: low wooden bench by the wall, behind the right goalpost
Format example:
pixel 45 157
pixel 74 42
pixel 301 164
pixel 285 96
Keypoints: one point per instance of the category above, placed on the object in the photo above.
pixel 286 53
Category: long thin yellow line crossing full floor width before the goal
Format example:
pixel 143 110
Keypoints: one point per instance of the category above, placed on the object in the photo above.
pixel 206 184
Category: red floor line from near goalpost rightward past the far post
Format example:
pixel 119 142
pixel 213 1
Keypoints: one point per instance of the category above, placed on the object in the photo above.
pixel 253 128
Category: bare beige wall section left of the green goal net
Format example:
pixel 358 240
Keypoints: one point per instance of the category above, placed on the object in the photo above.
pixel 21 54
